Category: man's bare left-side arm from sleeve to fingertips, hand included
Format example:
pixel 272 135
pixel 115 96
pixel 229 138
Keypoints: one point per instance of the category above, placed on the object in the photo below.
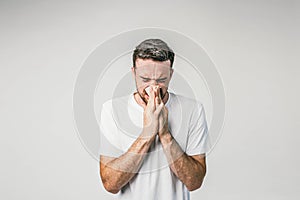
pixel 117 172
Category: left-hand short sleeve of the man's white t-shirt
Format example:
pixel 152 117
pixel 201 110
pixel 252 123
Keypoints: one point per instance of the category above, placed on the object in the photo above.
pixel 109 141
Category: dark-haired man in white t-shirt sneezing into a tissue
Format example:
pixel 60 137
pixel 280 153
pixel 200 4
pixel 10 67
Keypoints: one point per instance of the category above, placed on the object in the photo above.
pixel 153 142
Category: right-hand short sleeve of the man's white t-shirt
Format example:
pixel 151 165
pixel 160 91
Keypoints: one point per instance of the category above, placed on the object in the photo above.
pixel 198 140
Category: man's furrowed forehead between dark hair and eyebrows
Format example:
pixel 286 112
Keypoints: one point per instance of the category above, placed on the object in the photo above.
pixel 153 67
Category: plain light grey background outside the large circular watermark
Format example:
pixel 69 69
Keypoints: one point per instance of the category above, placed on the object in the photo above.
pixel 254 45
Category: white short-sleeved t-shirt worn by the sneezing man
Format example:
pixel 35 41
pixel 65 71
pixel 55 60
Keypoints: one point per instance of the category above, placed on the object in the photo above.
pixel 122 122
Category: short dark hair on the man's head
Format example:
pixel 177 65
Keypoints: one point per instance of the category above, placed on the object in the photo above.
pixel 154 49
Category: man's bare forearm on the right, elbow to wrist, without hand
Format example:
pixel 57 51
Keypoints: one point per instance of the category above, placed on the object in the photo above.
pixel 185 167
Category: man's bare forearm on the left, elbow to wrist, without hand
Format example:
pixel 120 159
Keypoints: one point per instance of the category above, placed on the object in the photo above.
pixel 116 173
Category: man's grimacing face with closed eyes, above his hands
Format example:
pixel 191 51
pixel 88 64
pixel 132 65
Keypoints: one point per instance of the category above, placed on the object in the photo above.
pixel 152 73
